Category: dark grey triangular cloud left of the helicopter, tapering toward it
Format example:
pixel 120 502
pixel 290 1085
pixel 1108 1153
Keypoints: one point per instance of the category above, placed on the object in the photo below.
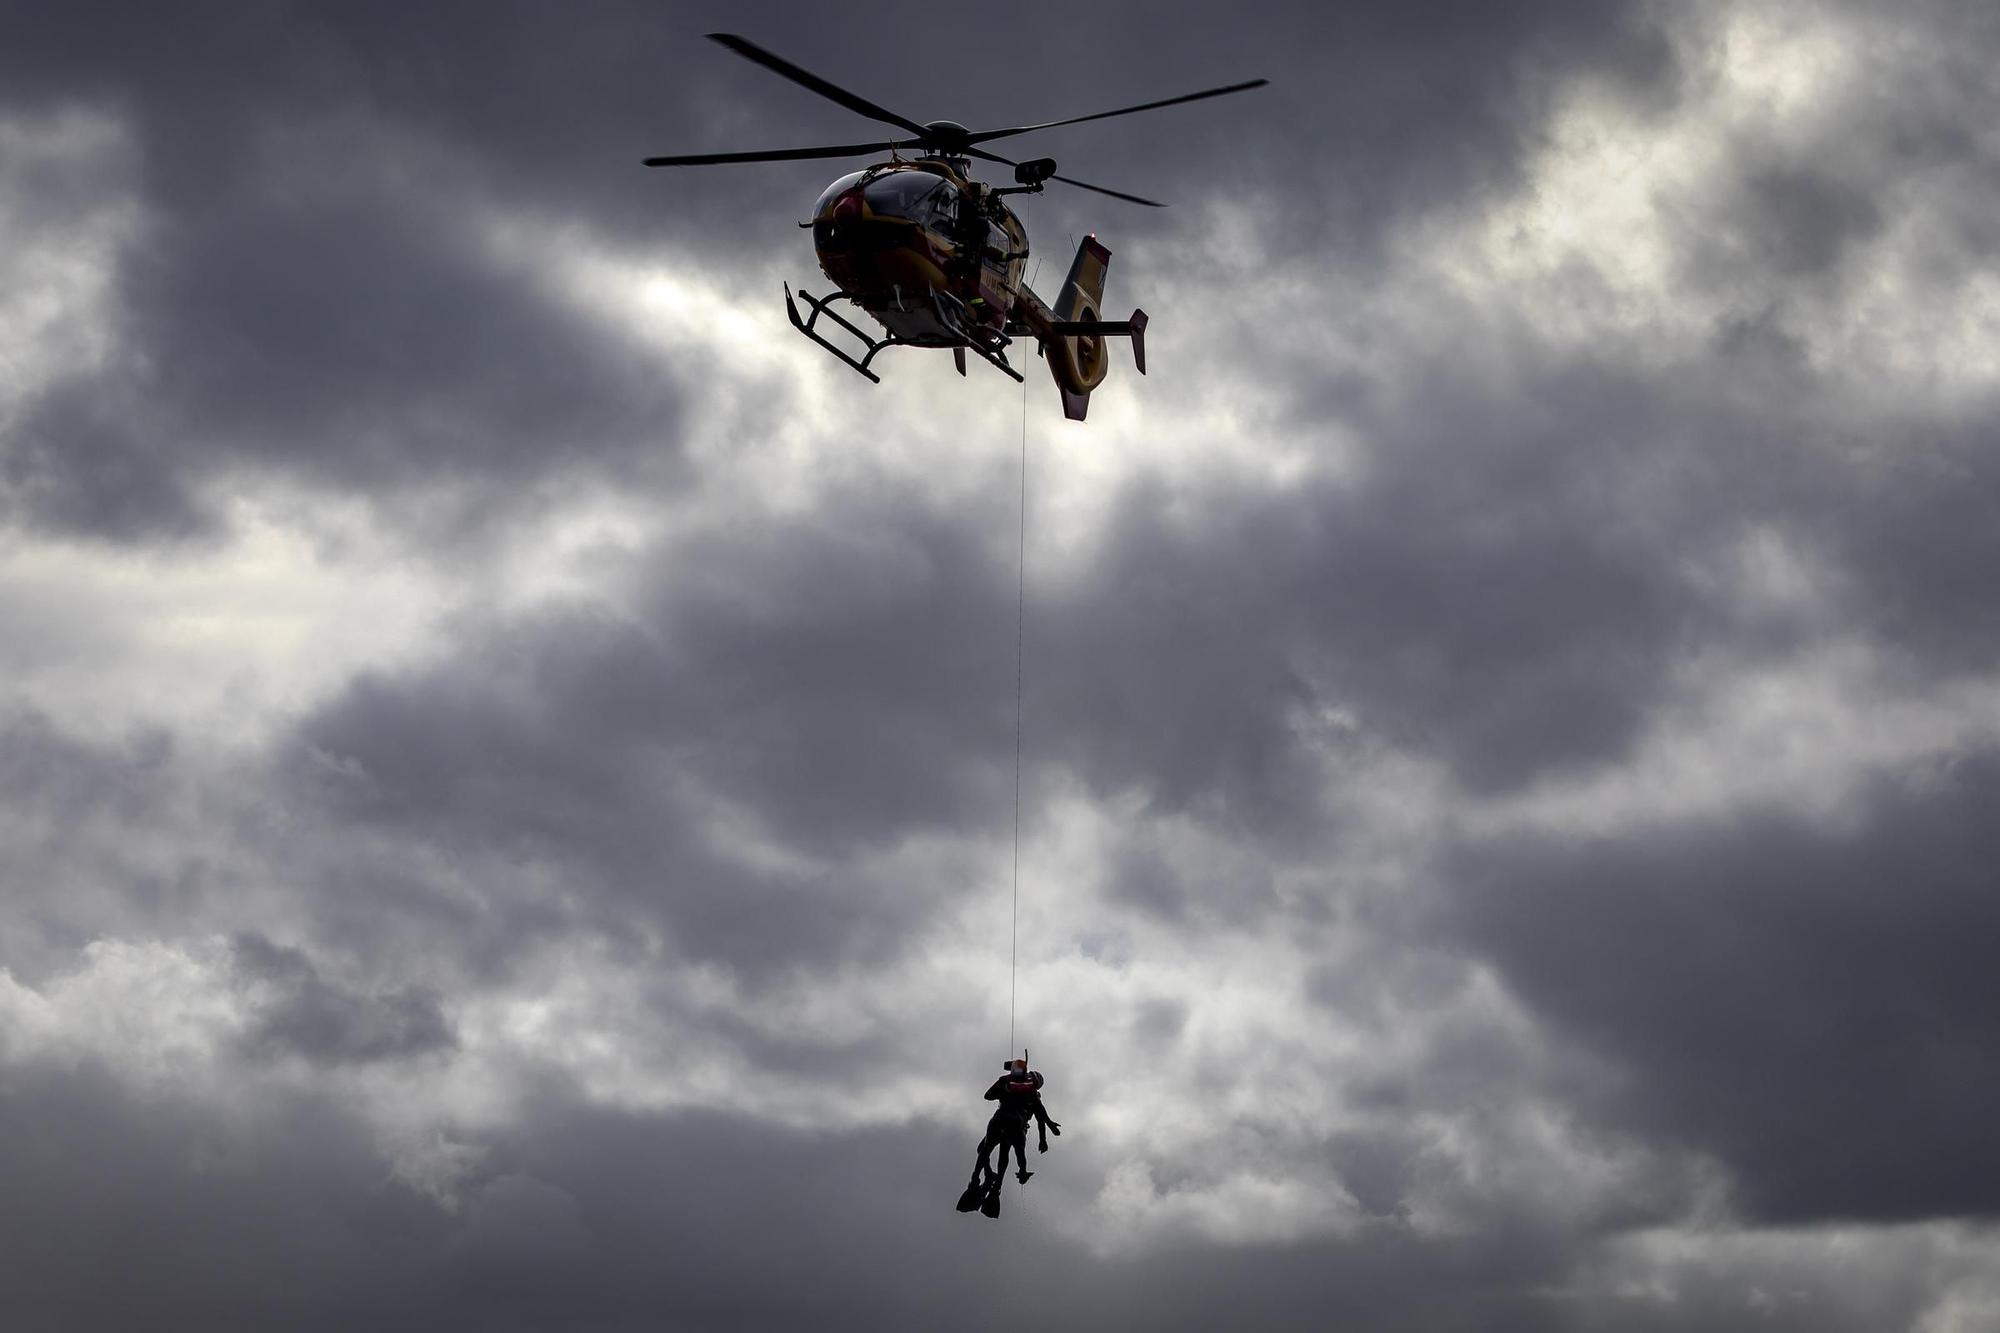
pixel 345 333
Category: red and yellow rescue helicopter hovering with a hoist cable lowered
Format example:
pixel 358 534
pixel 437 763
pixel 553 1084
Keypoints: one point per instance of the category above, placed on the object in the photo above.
pixel 937 257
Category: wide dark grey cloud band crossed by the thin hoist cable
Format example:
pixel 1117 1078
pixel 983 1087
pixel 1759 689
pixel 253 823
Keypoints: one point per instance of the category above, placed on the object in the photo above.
pixel 847 680
